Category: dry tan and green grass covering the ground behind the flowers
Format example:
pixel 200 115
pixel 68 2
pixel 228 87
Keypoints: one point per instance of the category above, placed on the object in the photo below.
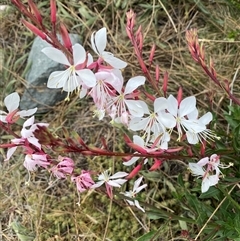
pixel 48 208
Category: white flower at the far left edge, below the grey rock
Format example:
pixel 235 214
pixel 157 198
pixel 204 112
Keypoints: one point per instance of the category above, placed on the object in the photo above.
pixel 12 103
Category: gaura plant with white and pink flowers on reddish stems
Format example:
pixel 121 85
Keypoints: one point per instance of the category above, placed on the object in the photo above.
pixel 155 121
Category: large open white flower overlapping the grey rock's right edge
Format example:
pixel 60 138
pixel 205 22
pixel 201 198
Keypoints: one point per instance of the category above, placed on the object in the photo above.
pixel 75 75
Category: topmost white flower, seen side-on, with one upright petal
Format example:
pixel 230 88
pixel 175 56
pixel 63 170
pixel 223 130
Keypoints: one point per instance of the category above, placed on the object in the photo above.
pixel 99 42
